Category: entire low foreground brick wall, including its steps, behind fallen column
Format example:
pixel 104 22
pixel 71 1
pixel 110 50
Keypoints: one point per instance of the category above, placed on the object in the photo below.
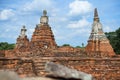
pixel 101 69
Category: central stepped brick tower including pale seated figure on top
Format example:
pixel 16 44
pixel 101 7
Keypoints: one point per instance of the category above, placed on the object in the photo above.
pixel 43 36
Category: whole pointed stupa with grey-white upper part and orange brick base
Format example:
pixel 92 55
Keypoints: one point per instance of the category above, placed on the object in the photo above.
pixel 98 42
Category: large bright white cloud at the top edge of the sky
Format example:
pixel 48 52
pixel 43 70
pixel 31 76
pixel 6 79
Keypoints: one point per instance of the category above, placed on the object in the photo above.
pixel 79 7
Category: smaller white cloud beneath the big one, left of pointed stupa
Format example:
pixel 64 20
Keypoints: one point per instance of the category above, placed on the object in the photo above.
pixel 79 24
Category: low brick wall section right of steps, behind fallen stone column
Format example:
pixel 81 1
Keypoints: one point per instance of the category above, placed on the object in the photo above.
pixel 100 68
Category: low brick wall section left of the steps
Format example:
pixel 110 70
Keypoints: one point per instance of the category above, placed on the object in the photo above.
pixel 22 66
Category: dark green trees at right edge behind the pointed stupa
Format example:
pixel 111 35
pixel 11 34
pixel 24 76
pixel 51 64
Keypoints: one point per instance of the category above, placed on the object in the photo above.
pixel 114 38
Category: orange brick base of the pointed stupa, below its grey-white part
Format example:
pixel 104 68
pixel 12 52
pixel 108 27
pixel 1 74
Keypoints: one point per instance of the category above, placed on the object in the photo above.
pixel 103 47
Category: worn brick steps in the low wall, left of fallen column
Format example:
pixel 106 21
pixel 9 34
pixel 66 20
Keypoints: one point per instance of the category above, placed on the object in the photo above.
pixel 39 65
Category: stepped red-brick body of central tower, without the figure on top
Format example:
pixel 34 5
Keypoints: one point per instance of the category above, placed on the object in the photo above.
pixel 44 34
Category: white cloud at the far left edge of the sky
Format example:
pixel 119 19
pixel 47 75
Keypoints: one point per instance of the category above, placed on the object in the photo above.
pixel 6 14
